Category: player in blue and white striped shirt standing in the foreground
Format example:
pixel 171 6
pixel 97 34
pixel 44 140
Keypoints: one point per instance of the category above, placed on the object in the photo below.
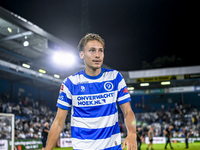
pixel 92 95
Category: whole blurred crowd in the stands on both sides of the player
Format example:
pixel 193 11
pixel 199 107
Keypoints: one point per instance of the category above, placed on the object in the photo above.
pixel 30 117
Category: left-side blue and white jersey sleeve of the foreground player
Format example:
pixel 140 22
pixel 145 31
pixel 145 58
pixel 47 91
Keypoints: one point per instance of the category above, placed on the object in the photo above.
pixel 65 97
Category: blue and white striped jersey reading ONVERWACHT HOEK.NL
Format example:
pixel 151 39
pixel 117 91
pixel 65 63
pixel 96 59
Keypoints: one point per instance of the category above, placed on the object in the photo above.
pixel 93 102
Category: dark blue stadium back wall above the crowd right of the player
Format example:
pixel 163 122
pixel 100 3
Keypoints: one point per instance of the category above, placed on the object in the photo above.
pixel 147 103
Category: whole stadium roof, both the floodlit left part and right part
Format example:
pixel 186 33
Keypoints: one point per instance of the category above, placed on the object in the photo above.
pixel 15 30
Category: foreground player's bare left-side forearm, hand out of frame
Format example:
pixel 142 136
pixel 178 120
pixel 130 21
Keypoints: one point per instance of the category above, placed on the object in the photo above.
pixel 56 128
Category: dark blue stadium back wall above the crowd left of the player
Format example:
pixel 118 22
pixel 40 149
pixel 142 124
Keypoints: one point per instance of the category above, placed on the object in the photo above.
pixel 14 90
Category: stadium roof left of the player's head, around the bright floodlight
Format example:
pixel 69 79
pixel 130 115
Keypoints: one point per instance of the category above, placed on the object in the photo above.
pixel 14 31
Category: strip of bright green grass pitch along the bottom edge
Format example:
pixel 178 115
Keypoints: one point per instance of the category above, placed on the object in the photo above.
pixel 176 146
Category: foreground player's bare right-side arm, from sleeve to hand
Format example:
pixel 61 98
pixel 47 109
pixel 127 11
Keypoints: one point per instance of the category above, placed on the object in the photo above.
pixel 130 122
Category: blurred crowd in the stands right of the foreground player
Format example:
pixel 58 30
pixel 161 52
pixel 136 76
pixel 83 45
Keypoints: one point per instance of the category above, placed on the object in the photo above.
pixel 179 116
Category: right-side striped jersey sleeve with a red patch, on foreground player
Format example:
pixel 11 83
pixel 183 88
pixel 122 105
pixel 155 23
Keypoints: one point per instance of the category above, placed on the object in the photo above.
pixel 123 95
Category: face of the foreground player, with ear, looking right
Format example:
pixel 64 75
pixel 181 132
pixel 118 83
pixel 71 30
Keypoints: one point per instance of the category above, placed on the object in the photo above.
pixel 93 55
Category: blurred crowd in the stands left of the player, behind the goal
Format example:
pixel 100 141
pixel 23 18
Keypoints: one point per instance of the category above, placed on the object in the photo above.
pixel 30 117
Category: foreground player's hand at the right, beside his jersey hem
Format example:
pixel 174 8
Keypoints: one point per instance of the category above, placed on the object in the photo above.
pixel 130 141
